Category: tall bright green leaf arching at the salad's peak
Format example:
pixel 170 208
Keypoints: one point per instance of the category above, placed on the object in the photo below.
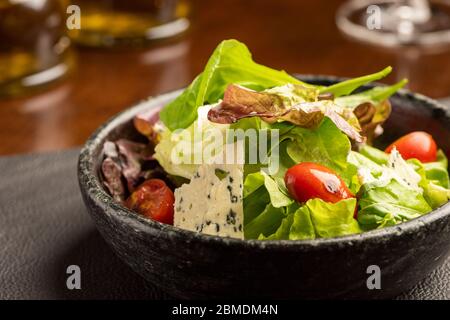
pixel 231 62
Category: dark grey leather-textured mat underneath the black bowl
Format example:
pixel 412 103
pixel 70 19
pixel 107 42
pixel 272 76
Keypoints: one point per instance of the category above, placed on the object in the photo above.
pixel 44 228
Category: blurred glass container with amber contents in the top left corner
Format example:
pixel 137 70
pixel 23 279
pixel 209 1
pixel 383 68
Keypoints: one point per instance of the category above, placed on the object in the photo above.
pixel 34 46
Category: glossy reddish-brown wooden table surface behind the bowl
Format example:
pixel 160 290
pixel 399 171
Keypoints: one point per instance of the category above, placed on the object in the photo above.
pixel 295 35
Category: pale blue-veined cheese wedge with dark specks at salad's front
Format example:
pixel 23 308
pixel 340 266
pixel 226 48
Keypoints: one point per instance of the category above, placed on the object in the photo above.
pixel 212 202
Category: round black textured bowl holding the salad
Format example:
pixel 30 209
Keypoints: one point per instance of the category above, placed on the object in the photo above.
pixel 190 265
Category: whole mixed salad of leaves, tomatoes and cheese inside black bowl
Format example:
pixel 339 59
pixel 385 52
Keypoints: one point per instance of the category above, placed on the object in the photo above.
pixel 250 152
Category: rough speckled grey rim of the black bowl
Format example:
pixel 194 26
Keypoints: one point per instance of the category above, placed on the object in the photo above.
pixel 97 193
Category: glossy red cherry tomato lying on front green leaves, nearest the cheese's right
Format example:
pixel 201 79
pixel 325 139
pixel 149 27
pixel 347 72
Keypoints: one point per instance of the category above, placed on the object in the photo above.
pixel 309 180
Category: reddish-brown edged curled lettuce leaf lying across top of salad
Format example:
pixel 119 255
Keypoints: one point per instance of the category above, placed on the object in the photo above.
pixel 289 105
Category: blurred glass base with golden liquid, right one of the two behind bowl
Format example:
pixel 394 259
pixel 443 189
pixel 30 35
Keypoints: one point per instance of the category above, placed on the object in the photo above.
pixel 111 23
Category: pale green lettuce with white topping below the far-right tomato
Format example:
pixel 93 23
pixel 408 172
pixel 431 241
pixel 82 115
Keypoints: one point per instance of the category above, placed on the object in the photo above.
pixel 396 190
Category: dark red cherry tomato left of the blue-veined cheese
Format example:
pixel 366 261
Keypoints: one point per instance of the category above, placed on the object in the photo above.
pixel 153 199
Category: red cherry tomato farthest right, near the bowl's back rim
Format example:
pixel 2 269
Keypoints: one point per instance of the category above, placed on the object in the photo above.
pixel 419 145
